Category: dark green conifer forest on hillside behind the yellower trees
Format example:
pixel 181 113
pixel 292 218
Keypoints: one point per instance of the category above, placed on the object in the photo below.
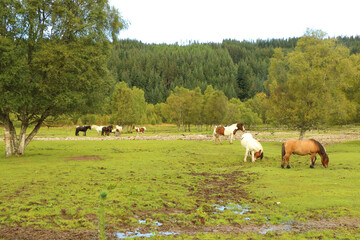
pixel 237 68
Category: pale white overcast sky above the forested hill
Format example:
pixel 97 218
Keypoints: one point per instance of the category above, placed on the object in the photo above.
pixel 171 21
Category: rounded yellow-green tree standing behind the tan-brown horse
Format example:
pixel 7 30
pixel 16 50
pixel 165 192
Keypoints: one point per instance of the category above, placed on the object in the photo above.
pixel 305 85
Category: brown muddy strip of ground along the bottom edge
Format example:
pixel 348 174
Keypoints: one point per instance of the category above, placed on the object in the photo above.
pixel 21 233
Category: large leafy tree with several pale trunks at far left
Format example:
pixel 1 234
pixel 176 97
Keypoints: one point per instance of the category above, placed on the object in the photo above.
pixel 53 61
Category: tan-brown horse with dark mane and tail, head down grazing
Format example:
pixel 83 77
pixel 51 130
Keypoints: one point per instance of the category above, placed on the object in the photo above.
pixel 304 147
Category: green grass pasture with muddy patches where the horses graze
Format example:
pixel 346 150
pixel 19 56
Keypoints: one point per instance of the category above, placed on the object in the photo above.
pixel 187 187
